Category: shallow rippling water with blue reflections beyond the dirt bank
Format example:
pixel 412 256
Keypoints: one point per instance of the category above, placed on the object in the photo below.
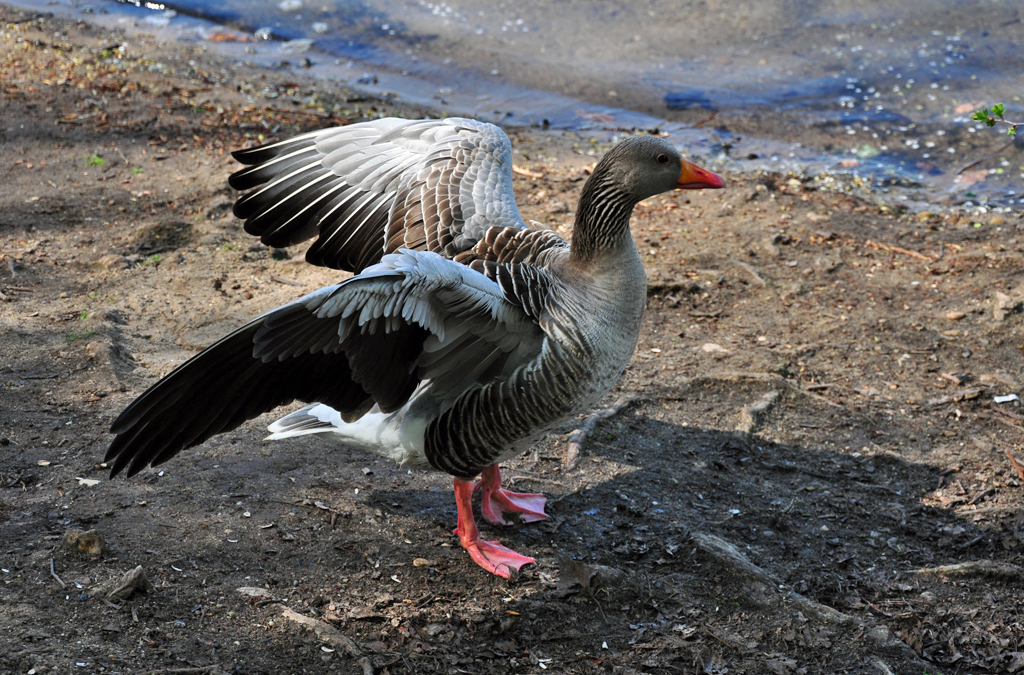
pixel 880 90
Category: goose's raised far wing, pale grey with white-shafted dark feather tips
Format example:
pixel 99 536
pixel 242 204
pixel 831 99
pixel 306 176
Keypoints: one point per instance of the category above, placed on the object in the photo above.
pixel 371 189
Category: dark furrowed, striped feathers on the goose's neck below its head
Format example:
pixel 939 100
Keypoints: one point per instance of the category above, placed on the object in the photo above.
pixel 603 222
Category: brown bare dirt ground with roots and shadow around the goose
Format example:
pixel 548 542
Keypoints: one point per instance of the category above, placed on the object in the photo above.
pixel 809 474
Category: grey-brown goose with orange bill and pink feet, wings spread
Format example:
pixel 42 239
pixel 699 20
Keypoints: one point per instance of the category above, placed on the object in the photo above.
pixel 464 335
